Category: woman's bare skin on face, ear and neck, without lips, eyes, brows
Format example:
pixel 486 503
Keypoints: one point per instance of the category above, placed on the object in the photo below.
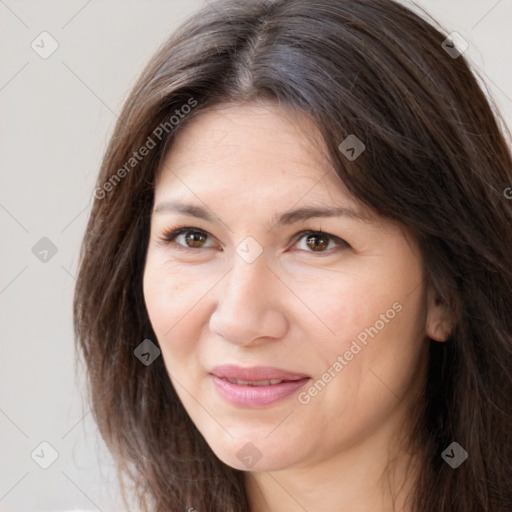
pixel 293 308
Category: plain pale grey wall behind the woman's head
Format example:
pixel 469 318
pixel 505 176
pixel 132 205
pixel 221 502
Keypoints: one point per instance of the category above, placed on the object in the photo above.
pixel 57 114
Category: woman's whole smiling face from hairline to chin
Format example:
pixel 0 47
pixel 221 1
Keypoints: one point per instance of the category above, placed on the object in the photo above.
pixel 337 301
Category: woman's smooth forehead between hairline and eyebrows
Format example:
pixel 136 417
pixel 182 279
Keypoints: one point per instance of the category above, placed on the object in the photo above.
pixel 250 150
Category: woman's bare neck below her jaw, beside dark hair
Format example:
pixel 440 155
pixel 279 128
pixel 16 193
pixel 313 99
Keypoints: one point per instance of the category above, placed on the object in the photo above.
pixel 375 474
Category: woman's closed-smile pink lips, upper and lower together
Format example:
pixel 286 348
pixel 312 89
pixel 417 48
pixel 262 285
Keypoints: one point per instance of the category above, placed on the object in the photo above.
pixel 247 395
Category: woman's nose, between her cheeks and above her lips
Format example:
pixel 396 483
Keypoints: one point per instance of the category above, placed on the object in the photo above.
pixel 249 305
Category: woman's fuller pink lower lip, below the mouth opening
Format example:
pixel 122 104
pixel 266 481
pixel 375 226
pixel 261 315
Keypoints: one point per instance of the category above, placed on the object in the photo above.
pixel 256 396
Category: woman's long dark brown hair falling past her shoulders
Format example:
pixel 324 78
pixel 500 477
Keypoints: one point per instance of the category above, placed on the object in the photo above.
pixel 436 159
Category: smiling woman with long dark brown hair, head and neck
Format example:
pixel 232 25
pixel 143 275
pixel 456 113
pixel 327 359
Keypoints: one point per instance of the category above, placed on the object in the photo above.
pixel 295 284
